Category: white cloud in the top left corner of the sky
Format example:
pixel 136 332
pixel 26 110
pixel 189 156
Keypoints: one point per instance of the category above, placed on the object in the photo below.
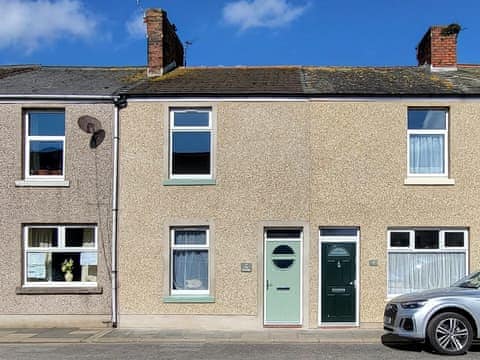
pixel 29 24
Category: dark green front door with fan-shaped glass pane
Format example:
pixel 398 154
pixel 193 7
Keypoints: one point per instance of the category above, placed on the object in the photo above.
pixel 338 282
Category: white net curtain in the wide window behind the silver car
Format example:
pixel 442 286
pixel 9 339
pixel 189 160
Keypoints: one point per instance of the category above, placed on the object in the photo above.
pixel 409 272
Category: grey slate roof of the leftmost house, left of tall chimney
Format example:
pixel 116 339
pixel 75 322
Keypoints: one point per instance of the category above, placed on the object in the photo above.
pixel 41 80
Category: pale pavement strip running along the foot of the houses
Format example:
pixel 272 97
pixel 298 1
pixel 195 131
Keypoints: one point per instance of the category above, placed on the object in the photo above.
pixel 122 335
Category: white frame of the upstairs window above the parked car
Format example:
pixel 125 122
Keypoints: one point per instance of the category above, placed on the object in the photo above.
pixel 443 132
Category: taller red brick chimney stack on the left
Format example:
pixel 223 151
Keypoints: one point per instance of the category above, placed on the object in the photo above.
pixel 164 48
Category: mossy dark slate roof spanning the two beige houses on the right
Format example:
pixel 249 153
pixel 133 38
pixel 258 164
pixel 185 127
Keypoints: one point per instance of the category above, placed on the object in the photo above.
pixel 312 81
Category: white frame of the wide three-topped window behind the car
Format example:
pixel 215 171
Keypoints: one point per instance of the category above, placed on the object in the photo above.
pixel 441 246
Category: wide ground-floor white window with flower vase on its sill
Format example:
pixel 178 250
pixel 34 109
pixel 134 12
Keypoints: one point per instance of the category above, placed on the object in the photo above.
pixel 58 255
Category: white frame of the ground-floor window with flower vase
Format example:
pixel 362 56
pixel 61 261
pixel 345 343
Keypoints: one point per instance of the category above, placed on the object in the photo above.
pixel 59 249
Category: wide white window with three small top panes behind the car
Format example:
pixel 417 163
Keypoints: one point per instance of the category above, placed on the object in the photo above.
pixel 425 258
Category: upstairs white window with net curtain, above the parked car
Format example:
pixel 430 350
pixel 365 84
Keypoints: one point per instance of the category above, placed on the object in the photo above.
pixel 427 138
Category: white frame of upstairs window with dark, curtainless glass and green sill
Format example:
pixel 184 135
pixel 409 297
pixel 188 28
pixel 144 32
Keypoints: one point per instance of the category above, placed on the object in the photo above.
pixel 177 129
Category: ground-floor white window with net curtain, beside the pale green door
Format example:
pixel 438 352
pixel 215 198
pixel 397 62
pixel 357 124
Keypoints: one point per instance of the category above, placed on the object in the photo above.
pixel 189 261
